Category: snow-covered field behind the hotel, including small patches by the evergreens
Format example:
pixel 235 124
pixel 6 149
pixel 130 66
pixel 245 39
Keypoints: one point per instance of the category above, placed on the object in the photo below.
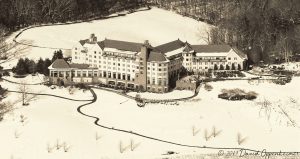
pixel 156 25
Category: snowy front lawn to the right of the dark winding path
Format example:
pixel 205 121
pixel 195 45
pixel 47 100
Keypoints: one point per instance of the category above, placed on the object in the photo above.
pixel 247 118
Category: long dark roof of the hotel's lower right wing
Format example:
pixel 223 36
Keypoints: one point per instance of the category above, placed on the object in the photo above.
pixel 211 48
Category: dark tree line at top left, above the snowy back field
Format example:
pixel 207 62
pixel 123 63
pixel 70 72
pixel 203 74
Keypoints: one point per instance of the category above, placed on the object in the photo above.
pixel 16 14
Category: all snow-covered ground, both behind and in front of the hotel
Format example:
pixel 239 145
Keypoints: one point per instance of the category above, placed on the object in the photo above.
pixel 49 126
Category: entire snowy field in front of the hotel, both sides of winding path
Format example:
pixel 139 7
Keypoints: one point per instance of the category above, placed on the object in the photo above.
pixel 49 119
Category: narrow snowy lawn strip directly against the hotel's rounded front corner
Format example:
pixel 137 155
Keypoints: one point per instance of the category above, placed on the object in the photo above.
pixel 170 95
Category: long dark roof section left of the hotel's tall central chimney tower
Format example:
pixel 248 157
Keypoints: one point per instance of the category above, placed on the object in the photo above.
pixel 120 45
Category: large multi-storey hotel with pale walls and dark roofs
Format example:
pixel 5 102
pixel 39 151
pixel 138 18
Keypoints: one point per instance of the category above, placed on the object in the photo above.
pixel 139 65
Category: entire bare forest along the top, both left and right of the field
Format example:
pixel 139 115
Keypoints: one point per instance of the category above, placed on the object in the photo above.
pixel 267 30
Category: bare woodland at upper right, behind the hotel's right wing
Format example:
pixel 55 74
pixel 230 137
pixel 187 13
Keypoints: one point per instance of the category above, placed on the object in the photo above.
pixel 267 30
